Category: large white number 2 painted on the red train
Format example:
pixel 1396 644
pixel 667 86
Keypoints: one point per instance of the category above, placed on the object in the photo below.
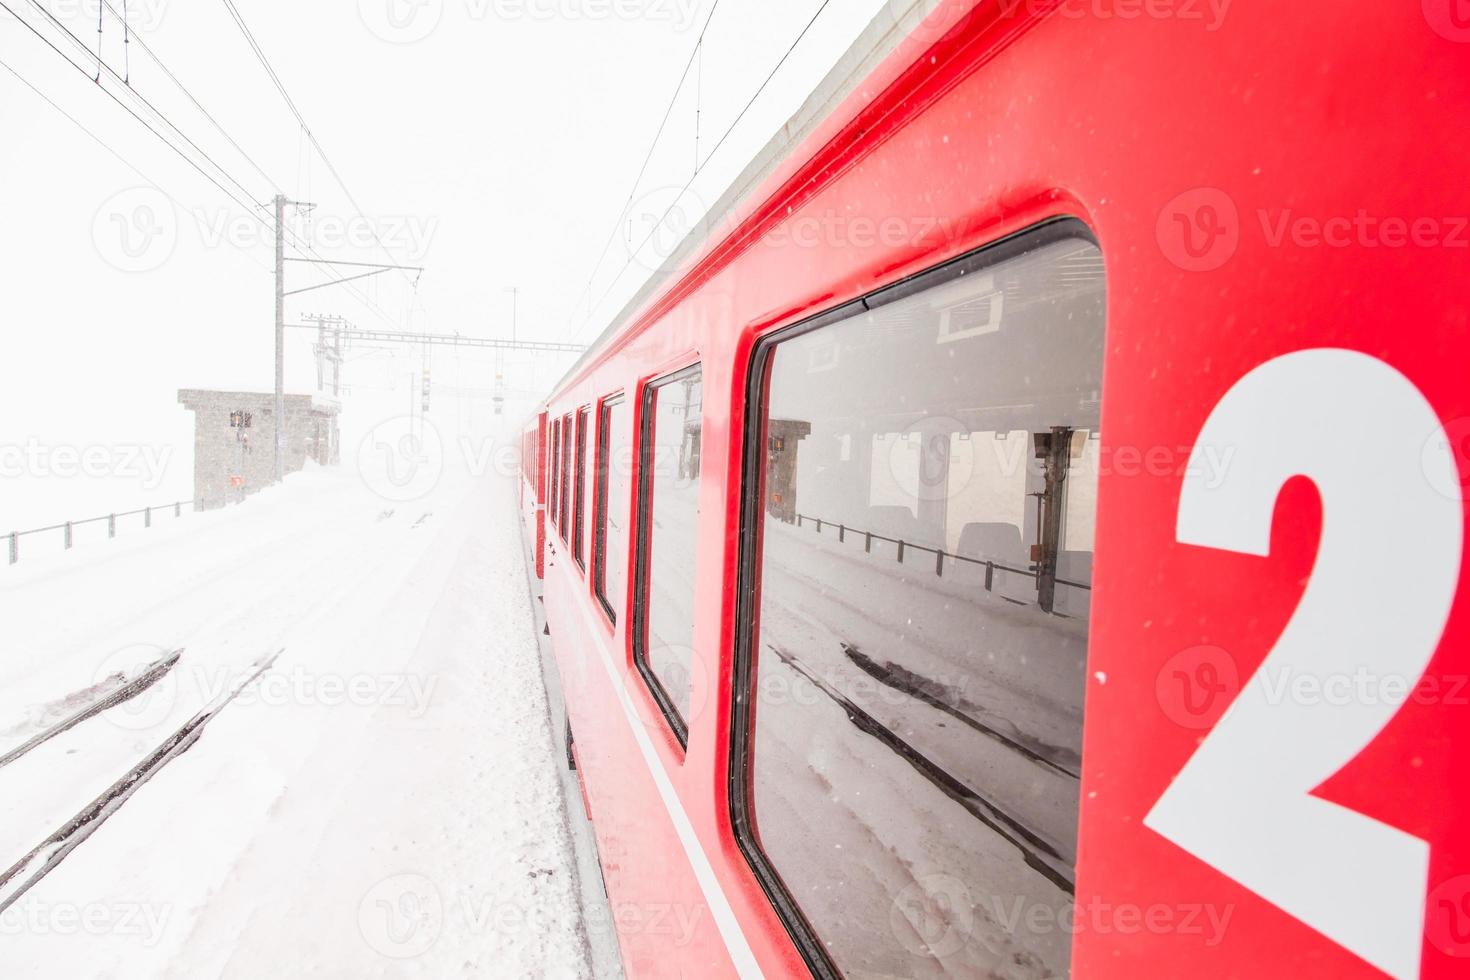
pixel 1377 605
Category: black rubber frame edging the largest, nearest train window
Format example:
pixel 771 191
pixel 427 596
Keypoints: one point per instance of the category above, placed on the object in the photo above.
pixel 749 552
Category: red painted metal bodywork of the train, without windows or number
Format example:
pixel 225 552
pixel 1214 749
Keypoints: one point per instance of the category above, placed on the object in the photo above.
pixel 1263 180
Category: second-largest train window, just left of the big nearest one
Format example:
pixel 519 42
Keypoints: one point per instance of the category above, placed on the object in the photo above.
pixel 668 518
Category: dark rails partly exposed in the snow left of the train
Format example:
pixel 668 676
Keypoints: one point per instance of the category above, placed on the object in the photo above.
pixel 46 856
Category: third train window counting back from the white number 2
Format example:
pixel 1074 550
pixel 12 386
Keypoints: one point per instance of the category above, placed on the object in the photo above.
pixel 614 503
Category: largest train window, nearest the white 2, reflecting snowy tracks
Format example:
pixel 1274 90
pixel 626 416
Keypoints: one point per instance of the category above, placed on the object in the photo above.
pixel 914 627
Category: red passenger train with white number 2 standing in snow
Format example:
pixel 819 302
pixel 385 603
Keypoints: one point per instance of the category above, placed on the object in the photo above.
pixel 1025 537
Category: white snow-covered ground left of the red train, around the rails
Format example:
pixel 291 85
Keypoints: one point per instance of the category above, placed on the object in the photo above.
pixel 384 801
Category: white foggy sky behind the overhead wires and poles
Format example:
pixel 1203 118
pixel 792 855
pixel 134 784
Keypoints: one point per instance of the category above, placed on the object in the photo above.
pixel 505 143
